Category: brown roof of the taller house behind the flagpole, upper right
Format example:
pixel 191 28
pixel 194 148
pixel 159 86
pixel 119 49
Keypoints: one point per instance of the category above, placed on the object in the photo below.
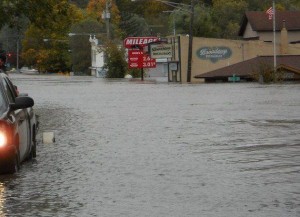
pixel 259 21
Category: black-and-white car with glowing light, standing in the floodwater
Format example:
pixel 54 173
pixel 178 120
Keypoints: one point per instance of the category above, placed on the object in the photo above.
pixel 18 127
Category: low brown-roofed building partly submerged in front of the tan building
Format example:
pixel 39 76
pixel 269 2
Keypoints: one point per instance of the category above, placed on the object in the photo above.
pixel 244 71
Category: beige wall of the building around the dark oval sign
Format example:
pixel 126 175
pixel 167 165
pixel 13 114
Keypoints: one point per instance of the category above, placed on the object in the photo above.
pixel 241 50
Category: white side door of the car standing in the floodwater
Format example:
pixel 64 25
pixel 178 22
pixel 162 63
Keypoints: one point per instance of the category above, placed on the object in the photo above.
pixel 22 123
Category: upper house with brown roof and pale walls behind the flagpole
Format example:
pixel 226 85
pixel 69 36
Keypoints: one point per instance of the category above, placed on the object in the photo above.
pixel 257 26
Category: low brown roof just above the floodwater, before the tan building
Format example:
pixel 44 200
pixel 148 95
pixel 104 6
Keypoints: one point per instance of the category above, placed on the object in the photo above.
pixel 246 68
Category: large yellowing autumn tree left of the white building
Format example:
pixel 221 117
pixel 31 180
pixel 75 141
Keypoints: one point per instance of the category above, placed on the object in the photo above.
pixel 46 46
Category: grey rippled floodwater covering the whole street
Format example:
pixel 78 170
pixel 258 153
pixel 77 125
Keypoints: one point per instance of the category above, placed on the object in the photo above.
pixel 153 149
